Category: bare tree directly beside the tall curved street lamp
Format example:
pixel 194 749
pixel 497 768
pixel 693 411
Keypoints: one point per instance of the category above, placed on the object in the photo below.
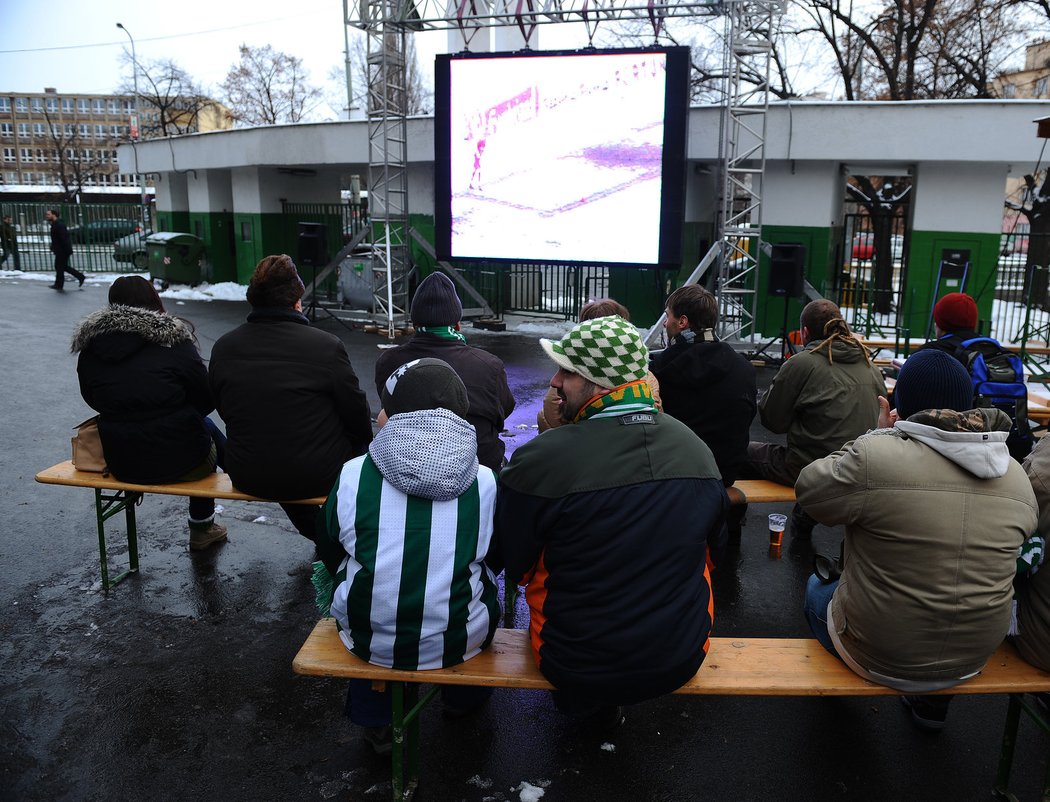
pixel 171 102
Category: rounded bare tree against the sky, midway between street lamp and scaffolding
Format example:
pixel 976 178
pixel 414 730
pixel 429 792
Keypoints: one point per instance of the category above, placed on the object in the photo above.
pixel 268 88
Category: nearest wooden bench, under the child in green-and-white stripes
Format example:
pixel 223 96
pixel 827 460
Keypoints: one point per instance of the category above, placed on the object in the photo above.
pixel 734 667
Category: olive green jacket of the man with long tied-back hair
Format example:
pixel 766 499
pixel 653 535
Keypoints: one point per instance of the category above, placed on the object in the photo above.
pixel 823 405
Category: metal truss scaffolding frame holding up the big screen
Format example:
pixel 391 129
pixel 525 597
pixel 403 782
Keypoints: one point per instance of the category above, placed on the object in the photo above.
pixel 748 45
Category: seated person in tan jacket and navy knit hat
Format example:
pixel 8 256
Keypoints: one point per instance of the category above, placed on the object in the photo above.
pixel 935 512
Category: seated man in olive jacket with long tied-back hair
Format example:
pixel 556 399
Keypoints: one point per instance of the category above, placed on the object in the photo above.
pixel 823 397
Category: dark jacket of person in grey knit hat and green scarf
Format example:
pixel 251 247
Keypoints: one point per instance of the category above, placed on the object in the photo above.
pixel 486 379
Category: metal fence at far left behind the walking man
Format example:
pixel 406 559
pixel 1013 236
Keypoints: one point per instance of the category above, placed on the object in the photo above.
pixel 93 227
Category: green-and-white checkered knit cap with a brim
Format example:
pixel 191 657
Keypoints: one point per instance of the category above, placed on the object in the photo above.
pixel 607 351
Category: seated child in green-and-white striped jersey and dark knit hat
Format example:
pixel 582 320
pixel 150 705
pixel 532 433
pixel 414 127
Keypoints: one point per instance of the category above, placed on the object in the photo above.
pixel 405 536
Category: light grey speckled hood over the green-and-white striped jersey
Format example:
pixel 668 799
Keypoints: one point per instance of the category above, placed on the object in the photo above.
pixel 432 454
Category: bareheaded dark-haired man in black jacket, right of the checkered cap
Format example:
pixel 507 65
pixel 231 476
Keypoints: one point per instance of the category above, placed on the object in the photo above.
pixel 705 384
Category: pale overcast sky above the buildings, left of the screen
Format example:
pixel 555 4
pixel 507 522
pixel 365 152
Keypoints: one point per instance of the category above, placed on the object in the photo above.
pixel 75 46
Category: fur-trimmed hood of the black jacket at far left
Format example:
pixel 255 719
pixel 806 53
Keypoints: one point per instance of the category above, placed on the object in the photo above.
pixel 124 330
